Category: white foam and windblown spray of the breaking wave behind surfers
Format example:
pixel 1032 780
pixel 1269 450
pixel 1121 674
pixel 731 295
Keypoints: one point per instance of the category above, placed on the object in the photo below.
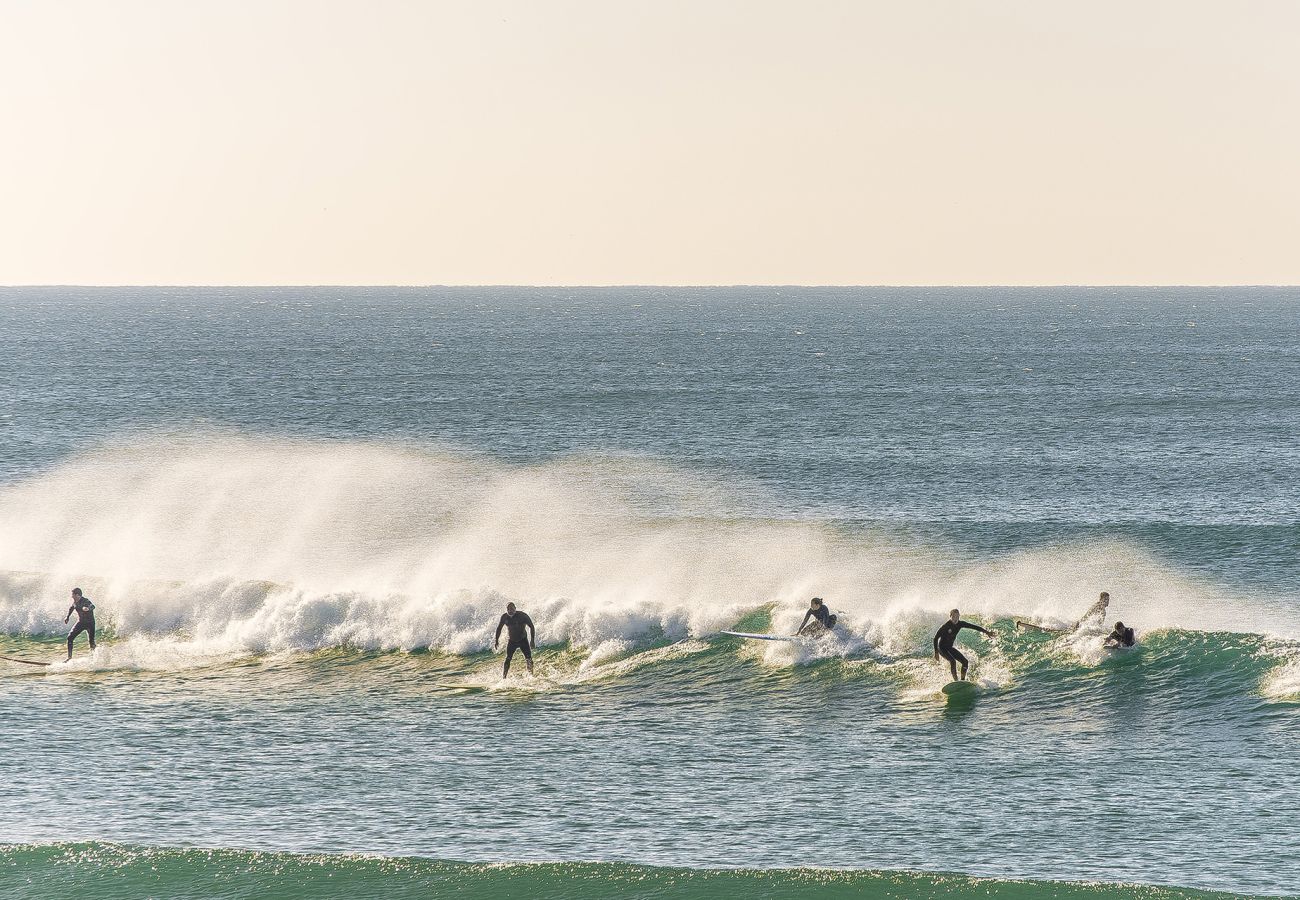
pixel 249 544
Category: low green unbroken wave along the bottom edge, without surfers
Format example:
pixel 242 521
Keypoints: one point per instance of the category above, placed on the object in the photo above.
pixel 110 872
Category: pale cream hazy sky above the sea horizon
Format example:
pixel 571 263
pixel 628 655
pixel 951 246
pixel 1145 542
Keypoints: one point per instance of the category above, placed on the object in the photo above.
pixel 661 142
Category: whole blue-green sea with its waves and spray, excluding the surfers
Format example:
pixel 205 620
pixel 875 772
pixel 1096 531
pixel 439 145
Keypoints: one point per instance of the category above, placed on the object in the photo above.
pixel 301 513
